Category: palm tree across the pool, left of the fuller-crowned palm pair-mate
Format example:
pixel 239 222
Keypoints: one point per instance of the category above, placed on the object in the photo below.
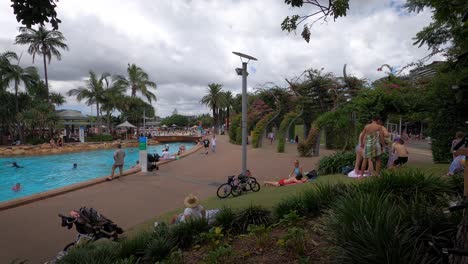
pixel 93 93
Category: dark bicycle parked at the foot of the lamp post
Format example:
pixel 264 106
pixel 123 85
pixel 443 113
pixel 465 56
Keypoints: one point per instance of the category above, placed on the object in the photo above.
pixel 236 186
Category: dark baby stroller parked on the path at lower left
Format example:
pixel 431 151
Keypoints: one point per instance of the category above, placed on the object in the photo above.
pixel 90 224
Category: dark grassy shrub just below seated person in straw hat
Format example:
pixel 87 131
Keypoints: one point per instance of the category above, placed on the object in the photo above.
pixel 185 234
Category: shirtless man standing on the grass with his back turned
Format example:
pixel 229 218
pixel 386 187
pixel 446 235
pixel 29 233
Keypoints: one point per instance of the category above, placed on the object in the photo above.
pixel 372 138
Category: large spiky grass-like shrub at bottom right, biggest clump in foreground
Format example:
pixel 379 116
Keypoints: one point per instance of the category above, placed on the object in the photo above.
pixel 370 228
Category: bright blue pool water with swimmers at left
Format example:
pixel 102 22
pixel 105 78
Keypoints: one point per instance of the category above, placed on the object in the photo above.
pixel 43 173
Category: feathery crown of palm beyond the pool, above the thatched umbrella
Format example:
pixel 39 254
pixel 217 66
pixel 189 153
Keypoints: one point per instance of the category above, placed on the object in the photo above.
pixel 137 81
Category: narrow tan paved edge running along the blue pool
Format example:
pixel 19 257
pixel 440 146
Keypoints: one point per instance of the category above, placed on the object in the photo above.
pixel 78 186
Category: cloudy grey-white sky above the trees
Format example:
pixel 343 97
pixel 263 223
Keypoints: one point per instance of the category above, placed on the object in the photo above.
pixel 186 44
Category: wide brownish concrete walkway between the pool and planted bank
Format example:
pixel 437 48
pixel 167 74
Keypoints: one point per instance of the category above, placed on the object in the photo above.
pixel 33 231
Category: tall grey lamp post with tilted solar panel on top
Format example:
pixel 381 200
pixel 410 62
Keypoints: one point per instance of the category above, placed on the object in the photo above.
pixel 243 71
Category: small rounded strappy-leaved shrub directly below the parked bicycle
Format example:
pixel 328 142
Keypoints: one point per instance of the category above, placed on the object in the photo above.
pixel 252 215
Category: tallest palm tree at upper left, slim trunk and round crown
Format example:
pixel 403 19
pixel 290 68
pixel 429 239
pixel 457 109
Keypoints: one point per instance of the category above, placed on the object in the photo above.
pixel 42 42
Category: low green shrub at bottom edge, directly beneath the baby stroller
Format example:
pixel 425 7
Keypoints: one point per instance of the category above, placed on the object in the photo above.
pixel 100 252
